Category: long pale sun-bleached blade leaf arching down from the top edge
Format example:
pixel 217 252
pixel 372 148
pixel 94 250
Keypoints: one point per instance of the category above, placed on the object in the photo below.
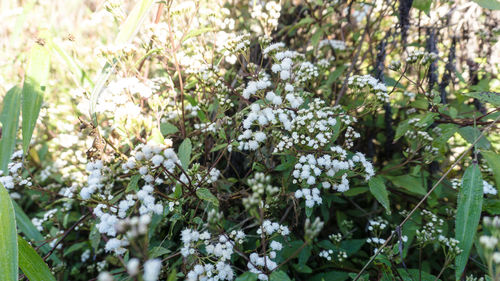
pixel 128 29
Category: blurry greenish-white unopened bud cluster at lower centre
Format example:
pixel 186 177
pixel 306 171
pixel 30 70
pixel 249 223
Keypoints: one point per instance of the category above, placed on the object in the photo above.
pixel 262 191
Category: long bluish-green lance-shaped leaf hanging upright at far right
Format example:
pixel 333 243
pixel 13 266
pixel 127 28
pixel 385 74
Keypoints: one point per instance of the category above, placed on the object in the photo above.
pixel 470 200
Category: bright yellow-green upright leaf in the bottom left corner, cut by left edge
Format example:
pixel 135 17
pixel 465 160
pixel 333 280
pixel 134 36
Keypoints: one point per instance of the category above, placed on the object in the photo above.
pixel 8 238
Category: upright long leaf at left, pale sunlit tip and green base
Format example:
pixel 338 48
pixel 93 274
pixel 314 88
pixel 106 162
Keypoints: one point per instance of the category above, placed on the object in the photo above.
pixel 35 81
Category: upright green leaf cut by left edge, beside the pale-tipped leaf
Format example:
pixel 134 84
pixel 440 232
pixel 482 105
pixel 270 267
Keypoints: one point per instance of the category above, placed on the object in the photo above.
pixel 9 117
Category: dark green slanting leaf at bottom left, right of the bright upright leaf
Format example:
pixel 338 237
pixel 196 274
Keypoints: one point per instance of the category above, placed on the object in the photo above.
pixel 32 264
